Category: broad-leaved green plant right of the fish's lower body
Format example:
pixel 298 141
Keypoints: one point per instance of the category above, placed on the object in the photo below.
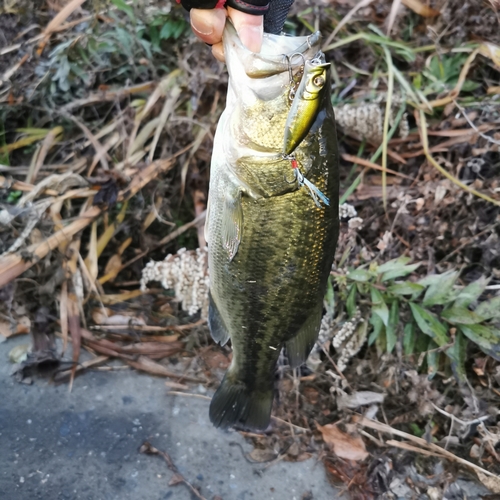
pixel 430 318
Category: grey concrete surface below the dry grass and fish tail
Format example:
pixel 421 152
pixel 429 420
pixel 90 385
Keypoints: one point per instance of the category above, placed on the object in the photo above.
pixel 84 445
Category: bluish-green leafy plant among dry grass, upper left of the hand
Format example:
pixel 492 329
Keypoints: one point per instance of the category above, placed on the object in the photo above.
pixel 131 46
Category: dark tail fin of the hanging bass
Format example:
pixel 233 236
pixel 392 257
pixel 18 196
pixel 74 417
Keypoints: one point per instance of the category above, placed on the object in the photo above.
pixel 235 404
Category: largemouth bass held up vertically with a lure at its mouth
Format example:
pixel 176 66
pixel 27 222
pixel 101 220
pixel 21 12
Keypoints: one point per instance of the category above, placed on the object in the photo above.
pixel 272 222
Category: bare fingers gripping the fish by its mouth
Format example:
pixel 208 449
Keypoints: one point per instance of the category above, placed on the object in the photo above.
pixel 208 25
